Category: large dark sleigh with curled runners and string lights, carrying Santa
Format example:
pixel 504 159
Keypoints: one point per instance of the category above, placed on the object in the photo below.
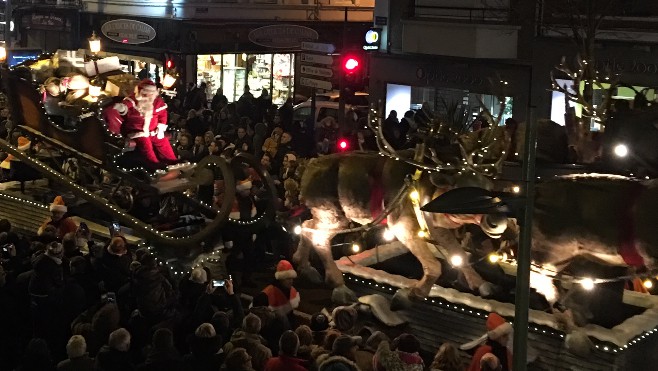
pixel 88 154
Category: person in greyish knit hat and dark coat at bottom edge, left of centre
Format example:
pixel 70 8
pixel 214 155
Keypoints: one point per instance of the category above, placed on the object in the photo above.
pixel 205 349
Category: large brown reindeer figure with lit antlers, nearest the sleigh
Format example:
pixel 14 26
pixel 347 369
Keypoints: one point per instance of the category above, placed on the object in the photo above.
pixel 366 187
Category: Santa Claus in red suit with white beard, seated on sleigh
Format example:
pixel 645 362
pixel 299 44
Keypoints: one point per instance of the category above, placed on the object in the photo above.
pixel 142 117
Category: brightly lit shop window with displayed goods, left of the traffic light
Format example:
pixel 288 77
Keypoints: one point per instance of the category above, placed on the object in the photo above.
pixel 234 72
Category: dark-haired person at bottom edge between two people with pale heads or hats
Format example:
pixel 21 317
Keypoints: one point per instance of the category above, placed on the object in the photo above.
pixel 162 355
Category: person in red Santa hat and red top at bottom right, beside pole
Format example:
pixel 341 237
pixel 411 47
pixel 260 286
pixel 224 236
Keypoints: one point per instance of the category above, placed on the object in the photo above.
pixel 495 341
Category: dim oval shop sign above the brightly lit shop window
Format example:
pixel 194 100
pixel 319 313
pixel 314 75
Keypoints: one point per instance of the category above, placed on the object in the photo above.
pixel 282 36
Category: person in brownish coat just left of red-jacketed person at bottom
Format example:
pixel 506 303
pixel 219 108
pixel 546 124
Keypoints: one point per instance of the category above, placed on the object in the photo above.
pixel 248 338
